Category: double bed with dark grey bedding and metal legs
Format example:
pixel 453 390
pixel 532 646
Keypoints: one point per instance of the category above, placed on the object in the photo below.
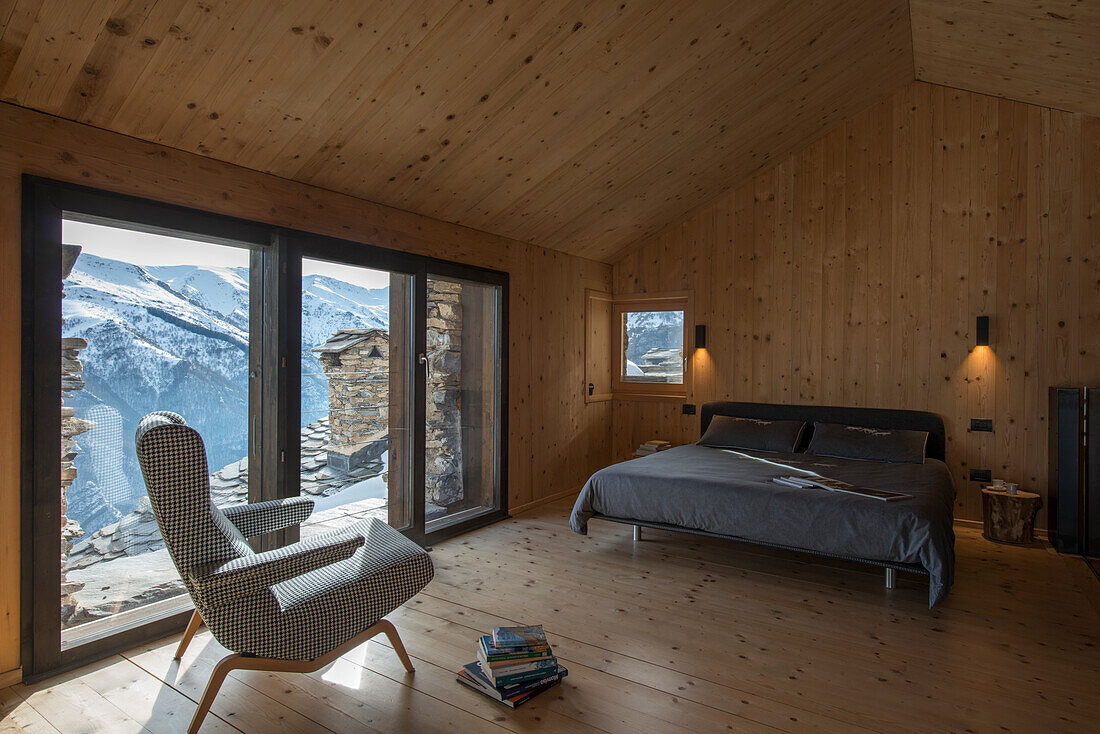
pixel 731 494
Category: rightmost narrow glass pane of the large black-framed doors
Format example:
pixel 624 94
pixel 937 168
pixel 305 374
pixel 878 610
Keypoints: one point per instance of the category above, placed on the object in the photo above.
pixel 464 386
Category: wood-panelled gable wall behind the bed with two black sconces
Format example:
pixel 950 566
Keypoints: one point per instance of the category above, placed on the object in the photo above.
pixel 853 272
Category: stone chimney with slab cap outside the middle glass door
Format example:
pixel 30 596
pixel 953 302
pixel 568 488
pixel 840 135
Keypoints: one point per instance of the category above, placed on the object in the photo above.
pixel 357 364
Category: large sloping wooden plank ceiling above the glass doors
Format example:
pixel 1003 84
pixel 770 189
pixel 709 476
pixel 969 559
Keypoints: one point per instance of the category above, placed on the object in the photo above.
pixel 577 126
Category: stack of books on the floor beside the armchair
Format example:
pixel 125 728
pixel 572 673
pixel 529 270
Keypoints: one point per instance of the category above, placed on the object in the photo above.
pixel 514 665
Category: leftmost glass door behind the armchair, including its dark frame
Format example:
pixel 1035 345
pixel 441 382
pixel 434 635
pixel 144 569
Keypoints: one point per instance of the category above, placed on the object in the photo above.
pixel 128 308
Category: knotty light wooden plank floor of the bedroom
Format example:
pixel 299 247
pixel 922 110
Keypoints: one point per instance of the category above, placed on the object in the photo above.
pixel 675 634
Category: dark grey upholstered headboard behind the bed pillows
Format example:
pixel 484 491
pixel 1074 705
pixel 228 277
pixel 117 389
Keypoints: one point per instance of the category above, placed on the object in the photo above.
pixel 865 418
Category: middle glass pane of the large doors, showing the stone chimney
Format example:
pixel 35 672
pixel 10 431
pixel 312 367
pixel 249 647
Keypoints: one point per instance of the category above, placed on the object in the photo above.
pixel 356 448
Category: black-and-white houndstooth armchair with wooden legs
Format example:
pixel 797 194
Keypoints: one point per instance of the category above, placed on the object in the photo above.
pixel 295 609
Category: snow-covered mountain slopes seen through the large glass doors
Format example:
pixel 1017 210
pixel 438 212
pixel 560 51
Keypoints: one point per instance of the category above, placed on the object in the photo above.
pixel 178 338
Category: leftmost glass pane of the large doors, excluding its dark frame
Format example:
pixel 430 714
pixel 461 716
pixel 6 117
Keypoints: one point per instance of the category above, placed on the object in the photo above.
pixel 150 322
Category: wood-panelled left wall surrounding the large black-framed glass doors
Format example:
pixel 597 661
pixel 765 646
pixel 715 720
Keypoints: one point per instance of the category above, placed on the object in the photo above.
pixel 556 441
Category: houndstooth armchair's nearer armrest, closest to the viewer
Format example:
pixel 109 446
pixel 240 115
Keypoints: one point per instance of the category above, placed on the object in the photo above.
pixel 218 584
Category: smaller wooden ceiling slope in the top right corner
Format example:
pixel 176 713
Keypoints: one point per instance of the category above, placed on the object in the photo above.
pixel 1044 52
